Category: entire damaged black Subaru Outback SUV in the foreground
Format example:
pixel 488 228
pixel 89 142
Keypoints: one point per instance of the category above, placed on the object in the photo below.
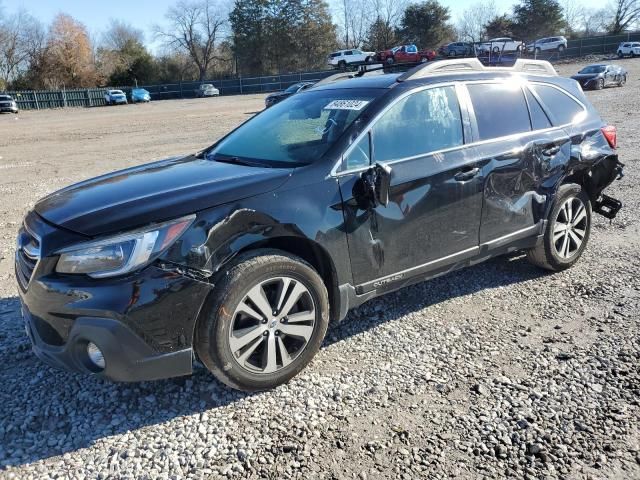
pixel 241 254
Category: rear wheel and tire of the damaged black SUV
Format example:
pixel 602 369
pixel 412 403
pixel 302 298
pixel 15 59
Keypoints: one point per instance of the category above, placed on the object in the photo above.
pixel 567 231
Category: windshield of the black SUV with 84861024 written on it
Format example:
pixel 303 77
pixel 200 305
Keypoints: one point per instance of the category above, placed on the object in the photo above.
pixel 295 132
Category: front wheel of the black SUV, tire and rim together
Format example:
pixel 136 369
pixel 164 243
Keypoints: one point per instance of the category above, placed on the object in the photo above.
pixel 268 318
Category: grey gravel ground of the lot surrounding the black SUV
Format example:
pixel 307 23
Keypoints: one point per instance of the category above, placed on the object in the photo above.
pixel 498 370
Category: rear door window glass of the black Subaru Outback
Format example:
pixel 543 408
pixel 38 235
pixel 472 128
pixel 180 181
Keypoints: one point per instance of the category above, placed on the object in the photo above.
pixel 500 109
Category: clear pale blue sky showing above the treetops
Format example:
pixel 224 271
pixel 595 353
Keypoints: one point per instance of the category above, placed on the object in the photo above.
pixel 143 14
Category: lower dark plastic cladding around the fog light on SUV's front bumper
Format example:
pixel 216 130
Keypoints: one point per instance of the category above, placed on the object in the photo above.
pixel 127 357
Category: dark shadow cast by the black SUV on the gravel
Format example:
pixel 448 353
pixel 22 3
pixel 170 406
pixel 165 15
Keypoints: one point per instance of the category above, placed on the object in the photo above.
pixel 46 412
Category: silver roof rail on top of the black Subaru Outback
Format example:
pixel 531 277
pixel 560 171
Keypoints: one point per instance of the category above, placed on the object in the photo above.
pixel 440 67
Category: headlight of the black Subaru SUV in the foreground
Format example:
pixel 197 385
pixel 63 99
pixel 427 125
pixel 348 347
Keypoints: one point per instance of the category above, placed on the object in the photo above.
pixel 122 253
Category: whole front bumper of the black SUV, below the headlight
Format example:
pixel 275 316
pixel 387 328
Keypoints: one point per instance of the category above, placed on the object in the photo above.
pixel 143 323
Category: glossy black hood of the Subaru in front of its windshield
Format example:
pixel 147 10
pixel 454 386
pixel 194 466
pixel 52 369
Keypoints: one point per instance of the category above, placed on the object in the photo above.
pixel 154 192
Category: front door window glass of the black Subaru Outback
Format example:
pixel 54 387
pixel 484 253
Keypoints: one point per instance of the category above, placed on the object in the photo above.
pixel 420 123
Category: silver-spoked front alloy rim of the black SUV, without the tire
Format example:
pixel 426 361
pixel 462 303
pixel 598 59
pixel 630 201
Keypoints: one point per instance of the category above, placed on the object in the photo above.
pixel 272 325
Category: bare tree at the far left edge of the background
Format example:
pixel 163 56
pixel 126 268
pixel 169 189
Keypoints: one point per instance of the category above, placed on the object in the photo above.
pixel 22 38
